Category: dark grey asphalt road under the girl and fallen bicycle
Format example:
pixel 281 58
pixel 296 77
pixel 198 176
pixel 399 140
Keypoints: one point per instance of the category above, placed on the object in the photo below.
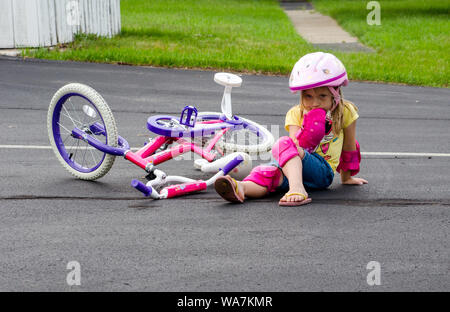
pixel 200 243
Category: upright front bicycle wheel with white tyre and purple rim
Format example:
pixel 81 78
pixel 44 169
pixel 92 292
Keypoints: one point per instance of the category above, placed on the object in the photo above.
pixel 78 105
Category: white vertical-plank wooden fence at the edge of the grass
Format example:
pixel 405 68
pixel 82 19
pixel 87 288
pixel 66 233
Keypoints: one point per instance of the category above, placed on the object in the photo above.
pixel 38 23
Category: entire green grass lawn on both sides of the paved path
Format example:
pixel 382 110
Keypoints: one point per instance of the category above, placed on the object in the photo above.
pixel 411 44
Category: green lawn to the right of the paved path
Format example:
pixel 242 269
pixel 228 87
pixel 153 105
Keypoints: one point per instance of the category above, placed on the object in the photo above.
pixel 412 42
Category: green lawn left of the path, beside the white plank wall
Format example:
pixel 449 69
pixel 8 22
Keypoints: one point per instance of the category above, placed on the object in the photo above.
pixel 253 36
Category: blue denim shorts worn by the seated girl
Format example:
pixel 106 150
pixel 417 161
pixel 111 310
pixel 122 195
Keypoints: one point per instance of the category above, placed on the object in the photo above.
pixel 317 173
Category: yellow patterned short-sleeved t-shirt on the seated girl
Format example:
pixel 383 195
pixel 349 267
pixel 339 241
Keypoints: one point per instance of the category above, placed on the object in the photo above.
pixel 330 151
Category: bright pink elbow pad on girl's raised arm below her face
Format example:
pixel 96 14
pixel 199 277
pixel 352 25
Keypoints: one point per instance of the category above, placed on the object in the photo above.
pixel 313 129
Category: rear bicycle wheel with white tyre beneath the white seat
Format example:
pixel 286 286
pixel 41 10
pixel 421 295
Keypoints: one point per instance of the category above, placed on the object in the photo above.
pixel 252 139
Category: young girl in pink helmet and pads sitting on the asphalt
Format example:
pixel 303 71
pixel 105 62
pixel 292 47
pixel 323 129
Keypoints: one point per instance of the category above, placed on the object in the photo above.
pixel 321 139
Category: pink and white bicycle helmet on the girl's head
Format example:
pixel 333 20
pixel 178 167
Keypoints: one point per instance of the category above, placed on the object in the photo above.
pixel 319 69
